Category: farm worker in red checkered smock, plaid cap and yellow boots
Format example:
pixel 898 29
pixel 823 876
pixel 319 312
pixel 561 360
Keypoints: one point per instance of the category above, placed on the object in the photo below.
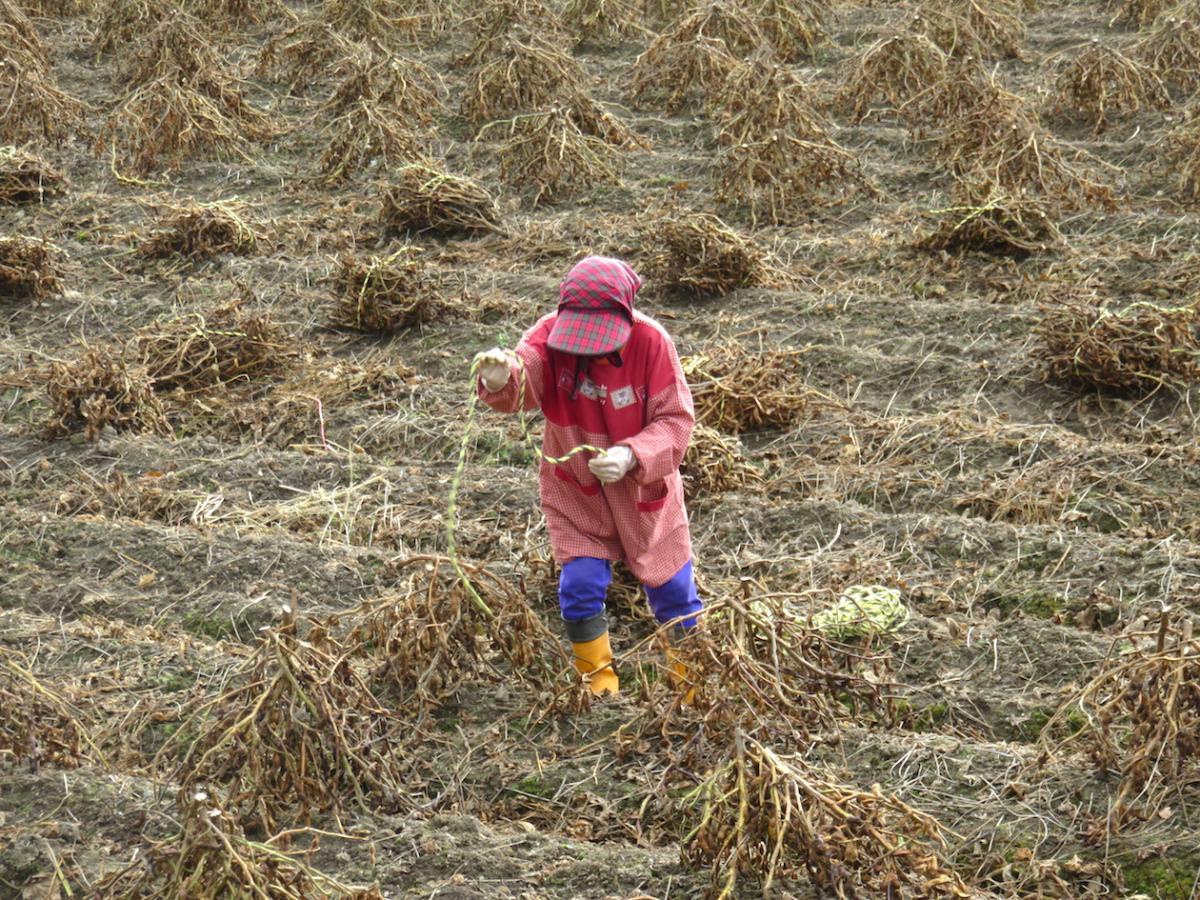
pixel 608 376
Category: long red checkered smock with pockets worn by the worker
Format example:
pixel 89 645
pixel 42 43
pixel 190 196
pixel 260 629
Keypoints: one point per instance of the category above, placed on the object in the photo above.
pixel 646 405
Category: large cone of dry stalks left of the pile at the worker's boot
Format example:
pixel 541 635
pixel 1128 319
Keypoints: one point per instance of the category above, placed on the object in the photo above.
pixel 301 731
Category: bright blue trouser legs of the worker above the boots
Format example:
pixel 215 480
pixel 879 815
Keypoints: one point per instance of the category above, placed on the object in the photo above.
pixel 584 586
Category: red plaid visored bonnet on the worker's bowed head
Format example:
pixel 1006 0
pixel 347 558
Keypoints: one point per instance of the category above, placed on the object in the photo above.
pixel 596 308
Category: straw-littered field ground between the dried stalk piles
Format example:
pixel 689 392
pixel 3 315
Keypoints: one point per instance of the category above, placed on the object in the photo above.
pixel 1031 525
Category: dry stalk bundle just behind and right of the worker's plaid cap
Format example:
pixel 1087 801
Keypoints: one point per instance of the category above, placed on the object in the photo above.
pixel 698 255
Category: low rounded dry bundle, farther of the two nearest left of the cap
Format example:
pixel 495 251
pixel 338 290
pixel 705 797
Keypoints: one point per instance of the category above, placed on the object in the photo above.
pixel 424 199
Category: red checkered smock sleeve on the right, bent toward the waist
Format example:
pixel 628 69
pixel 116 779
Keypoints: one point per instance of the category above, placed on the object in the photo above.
pixel 670 417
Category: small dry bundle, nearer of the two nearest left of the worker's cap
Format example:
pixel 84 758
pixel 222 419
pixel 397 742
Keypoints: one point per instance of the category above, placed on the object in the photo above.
pixel 387 295
